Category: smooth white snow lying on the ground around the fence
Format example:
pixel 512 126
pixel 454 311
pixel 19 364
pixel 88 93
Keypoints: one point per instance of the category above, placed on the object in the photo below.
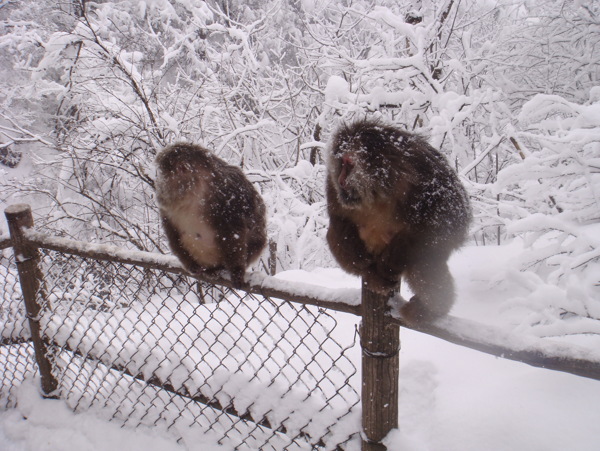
pixel 451 398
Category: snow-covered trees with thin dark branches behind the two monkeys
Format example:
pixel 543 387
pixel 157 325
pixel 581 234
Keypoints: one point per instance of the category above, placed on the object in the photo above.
pixel 101 86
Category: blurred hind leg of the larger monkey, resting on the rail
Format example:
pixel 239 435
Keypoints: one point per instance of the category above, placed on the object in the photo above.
pixel 433 286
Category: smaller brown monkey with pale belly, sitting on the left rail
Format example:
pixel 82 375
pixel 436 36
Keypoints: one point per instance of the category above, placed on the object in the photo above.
pixel 212 215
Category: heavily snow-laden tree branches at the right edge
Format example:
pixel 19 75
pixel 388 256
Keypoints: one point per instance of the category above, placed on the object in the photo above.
pixel 552 199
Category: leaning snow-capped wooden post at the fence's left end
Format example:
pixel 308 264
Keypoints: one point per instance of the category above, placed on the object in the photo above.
pixel 27 258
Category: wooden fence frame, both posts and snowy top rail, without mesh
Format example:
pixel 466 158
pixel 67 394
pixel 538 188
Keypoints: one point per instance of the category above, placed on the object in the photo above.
pixel 380 338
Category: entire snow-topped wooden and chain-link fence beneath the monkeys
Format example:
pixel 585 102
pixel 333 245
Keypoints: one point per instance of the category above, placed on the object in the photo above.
pixel 269 366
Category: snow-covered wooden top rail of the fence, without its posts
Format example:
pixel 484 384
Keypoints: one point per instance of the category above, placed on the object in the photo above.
pixel 534 351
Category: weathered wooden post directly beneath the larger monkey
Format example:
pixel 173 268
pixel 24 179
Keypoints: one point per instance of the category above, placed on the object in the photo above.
pixel 380 342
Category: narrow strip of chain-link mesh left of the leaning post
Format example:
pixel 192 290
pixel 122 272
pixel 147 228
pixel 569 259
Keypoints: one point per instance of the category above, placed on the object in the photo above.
pixel 17 360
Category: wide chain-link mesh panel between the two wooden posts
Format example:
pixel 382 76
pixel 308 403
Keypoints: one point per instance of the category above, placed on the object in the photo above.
pixel 150 347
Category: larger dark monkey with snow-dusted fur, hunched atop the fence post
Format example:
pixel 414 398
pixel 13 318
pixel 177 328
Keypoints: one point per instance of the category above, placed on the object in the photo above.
pixel 396 208
